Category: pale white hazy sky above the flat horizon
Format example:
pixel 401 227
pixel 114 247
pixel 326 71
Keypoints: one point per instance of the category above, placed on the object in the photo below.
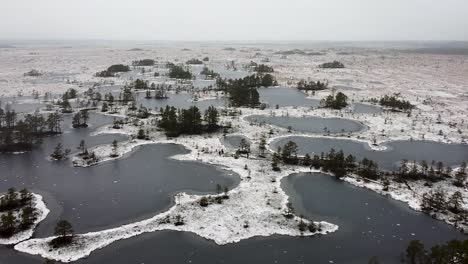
pixel 235 19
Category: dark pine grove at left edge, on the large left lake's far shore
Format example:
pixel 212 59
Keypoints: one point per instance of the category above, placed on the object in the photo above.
pixel 21 135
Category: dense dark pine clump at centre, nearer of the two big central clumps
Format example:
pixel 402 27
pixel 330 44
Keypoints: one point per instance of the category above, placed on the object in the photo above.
pixel 188 121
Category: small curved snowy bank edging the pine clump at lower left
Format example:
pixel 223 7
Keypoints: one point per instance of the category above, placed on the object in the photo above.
pixel 41 210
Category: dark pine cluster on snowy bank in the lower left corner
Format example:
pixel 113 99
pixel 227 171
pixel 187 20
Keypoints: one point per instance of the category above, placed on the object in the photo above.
pixel 12 202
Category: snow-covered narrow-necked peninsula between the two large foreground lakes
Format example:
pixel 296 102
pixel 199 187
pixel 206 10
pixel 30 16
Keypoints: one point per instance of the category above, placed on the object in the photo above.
pixel 187 205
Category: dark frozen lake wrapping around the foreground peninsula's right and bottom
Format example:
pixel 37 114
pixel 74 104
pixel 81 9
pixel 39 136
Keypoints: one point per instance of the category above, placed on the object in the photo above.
pixel 370 225
